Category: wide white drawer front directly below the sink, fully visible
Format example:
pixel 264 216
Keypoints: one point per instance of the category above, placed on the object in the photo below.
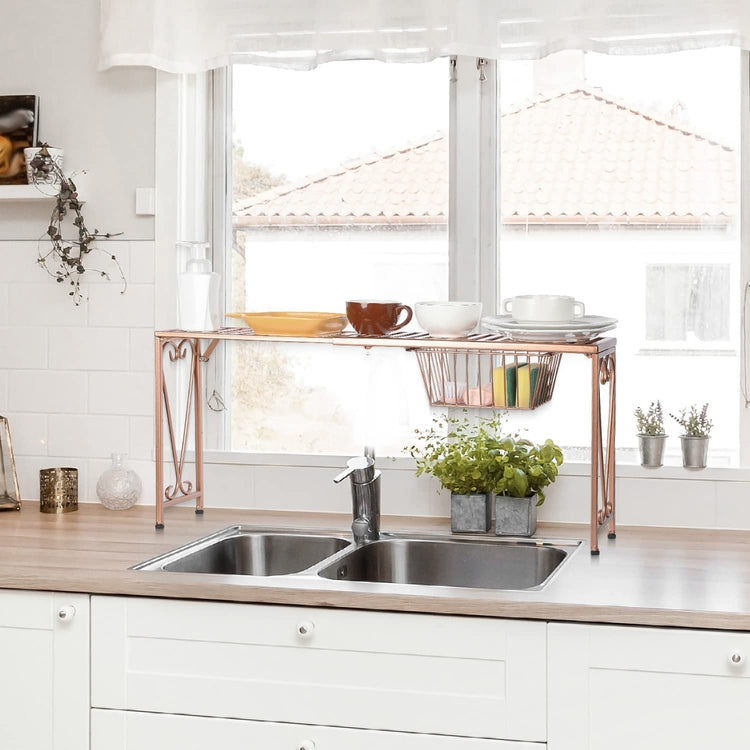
pixel 474 677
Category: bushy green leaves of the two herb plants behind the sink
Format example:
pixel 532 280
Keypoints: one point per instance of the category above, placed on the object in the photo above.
pixel 472 457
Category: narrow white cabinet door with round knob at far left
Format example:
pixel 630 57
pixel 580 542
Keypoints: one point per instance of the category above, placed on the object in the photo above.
pixel 44 671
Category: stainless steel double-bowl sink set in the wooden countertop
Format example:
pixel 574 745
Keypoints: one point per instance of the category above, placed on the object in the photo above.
pixel 474 562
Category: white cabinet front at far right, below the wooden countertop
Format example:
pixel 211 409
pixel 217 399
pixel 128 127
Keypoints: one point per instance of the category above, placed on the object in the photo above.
pixel 619 688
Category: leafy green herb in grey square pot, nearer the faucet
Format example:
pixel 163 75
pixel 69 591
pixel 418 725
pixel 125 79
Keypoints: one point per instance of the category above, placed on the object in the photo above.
pixel 462 455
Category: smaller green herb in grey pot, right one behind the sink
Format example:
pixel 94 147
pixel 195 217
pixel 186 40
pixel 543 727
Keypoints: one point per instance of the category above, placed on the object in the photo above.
pixel 523 470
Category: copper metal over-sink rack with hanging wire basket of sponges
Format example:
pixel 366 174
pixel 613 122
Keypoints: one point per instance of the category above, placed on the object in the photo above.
pixel 476 365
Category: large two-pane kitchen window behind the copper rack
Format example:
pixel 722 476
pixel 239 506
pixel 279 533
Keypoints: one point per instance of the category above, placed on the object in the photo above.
pixel 614 179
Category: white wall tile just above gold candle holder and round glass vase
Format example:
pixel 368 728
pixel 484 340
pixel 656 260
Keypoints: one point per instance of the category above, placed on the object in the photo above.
pixel 87 436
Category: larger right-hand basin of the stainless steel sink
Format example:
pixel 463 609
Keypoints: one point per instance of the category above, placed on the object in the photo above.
pixel 452 562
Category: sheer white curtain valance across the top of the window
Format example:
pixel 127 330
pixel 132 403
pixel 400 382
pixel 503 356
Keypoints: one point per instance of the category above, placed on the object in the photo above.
pixel 189 36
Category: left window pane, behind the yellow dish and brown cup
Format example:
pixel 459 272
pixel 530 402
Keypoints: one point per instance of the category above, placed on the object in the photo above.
pixel 340 191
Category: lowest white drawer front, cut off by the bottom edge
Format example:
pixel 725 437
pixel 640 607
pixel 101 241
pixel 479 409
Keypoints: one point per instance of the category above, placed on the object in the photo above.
pixel 130 730
